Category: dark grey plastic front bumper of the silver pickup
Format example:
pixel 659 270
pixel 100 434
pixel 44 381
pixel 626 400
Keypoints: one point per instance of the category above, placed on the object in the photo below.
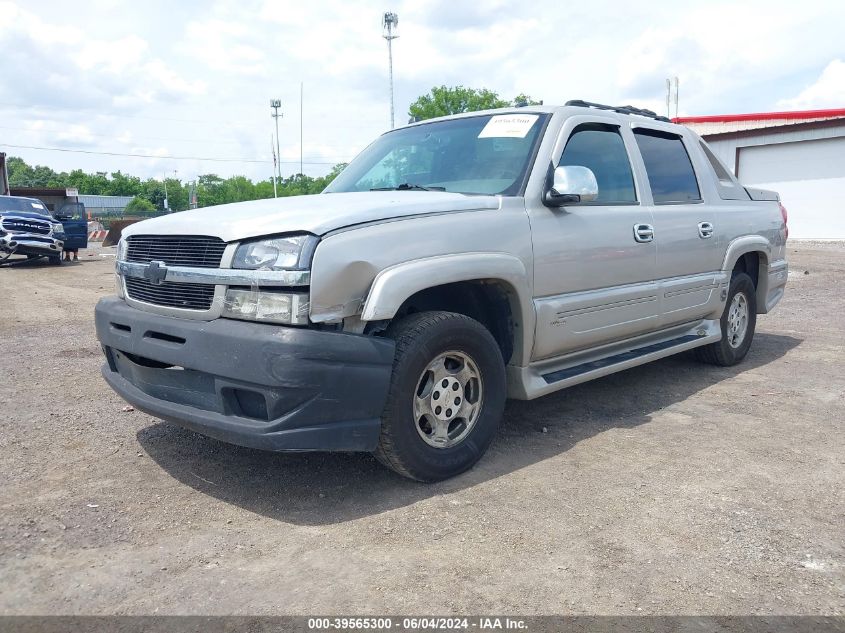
pixel 263 386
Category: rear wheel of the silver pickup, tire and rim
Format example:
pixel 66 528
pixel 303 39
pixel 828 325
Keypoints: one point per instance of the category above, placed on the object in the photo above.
pixel 738 322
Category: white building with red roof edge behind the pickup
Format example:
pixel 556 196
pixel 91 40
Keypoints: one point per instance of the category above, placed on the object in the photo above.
pixel 801 155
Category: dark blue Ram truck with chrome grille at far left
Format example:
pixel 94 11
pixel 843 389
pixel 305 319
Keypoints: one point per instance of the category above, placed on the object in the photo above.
pixel 27 228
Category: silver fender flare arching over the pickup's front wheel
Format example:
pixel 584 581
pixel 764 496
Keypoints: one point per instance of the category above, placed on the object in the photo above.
pixel 393 285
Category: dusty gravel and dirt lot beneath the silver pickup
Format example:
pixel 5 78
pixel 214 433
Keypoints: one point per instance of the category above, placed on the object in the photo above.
pixel 671 488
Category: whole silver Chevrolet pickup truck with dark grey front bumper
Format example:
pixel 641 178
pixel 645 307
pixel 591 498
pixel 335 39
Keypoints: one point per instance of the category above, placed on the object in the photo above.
pixel 453 264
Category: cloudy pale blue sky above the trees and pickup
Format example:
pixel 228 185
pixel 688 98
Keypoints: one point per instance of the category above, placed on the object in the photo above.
pixel 194 79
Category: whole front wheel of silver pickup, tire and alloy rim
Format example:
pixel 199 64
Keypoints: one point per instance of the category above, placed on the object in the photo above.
pixel 447 395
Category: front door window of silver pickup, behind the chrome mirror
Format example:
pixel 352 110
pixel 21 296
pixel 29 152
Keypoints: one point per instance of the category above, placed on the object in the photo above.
pixel 601 149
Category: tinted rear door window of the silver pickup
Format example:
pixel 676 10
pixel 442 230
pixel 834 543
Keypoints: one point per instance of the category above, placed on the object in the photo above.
pixel 668 166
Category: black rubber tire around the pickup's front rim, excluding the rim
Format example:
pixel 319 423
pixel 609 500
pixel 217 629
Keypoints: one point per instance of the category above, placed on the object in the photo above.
pixel 421 338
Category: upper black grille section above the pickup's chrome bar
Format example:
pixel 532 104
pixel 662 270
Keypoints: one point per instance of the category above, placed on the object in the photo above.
pixel 176 250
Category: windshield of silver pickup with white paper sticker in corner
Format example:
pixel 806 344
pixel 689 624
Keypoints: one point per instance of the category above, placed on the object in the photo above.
pixel 475 155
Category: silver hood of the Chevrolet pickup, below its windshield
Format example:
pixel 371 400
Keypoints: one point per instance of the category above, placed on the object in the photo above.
pixel 317 214
